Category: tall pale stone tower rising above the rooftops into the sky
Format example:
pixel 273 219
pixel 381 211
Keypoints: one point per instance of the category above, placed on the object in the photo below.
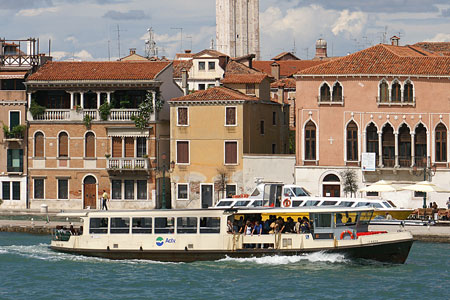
pixel 237 27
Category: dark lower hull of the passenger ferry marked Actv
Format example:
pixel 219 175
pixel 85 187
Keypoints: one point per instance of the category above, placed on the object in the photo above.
pixel 393 252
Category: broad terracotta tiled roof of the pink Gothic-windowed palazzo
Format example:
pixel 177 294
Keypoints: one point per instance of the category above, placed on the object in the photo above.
pixel 384 59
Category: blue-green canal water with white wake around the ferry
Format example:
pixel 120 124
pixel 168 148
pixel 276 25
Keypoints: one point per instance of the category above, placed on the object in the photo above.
pixel 30 270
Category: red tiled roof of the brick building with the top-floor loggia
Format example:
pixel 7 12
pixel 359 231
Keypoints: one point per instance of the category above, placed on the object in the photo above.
pixel 117 70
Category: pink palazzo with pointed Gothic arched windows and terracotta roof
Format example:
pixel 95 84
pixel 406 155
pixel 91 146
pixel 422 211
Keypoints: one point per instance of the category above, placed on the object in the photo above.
pixel 387 100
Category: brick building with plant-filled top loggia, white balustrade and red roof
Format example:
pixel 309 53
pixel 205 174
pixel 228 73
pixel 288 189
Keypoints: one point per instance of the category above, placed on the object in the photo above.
pixel 83 138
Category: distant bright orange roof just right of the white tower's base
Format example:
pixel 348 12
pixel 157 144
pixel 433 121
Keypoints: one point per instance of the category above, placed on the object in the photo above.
pixel 287 67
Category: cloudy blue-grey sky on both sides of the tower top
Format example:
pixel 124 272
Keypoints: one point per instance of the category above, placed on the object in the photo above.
pixel 90 29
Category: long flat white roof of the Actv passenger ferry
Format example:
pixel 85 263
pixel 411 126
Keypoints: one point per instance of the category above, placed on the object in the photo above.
pixel 213 211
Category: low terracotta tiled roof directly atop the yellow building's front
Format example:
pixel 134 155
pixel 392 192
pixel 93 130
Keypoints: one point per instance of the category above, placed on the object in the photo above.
pixel 216 93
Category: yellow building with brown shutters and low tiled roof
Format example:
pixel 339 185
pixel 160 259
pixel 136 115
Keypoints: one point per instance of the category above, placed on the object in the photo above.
pixel 210 132
